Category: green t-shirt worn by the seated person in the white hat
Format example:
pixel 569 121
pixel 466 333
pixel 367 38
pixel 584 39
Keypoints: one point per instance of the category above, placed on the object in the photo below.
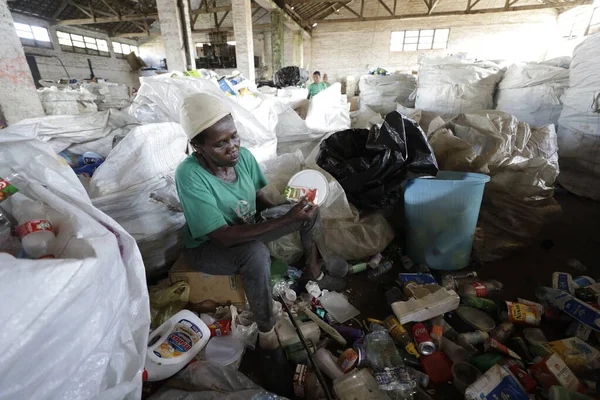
pixel 210 203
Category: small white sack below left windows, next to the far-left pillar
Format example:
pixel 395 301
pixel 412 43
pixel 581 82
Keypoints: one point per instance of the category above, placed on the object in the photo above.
pixel 67 101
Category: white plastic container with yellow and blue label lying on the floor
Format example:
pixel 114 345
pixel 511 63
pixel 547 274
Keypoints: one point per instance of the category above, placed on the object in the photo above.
pixel 174 344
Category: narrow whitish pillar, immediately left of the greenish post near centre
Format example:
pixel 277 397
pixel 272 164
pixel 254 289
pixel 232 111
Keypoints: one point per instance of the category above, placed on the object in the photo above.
pixel 244 41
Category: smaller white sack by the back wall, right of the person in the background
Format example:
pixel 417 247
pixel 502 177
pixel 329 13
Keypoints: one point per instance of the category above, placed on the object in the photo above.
pixel 381 92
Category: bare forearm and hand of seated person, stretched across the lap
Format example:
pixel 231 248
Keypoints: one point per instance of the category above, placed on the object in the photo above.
pixel 227 236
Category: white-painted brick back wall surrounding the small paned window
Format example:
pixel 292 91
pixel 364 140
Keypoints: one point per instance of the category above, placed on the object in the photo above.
pixel 342 49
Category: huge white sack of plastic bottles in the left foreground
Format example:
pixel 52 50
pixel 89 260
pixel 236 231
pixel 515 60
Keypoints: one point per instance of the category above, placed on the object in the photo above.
pixel 74 327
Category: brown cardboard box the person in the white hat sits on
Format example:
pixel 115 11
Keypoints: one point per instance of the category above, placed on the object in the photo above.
pixel 219 288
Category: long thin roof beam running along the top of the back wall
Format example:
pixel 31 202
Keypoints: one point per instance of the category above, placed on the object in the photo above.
pixel 457 12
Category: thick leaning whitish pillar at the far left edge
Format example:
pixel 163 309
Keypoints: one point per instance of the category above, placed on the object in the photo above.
pixel 19 99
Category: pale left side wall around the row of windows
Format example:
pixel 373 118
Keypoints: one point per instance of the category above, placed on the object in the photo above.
pixel 114 69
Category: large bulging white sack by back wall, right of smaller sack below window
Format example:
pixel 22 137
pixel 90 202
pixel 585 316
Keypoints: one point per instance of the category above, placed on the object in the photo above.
pixel 452 86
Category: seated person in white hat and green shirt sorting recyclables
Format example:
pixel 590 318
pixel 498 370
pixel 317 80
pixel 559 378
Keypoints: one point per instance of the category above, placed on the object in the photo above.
pixel 229 219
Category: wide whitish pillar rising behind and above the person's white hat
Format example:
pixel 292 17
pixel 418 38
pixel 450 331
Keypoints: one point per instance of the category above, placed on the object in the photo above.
pixel 172 32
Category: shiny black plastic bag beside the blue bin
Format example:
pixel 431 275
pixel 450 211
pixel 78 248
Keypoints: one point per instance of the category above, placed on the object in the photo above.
pixel 371 165
